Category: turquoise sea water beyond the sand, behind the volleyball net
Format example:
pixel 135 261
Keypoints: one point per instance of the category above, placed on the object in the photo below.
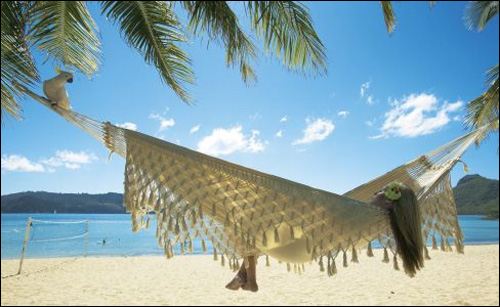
pixel 115 229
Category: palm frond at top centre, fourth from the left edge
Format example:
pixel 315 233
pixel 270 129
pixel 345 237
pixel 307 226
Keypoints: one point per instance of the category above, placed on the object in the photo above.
pixel 219 23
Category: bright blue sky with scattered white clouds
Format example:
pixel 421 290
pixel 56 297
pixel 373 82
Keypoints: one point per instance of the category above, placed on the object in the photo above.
pixel 386 100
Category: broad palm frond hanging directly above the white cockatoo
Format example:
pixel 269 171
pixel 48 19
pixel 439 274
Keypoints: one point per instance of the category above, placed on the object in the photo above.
pixel 65 31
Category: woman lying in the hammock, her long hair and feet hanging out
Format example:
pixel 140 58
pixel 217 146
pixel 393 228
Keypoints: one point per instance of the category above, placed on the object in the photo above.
pixel 401 203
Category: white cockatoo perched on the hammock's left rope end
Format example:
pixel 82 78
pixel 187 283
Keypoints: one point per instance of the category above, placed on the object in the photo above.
pixel 55 89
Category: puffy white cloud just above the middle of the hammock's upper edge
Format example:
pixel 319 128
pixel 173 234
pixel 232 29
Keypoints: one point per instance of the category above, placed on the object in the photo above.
pixel 227 141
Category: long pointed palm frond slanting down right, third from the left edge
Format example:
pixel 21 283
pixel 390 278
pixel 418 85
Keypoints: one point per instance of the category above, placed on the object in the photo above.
pixel 151 28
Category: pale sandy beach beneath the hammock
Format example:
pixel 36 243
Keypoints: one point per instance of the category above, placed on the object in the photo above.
pixel 448 279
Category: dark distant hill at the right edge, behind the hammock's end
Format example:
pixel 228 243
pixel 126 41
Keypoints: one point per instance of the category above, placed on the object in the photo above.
pixel 475 194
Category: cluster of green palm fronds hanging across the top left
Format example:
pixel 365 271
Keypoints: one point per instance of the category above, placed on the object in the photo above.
pixel 66 32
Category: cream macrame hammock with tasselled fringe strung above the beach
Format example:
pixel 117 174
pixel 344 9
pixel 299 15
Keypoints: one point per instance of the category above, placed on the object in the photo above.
pixel 243 211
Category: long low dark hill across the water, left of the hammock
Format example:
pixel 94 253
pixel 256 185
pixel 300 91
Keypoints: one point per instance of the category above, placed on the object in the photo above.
pixel 44 202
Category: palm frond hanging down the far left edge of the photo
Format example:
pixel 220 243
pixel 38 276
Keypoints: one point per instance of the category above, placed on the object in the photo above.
pixel 17 65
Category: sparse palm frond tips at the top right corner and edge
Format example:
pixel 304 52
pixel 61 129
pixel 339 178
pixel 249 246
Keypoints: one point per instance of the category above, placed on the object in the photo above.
pixel 482 110
